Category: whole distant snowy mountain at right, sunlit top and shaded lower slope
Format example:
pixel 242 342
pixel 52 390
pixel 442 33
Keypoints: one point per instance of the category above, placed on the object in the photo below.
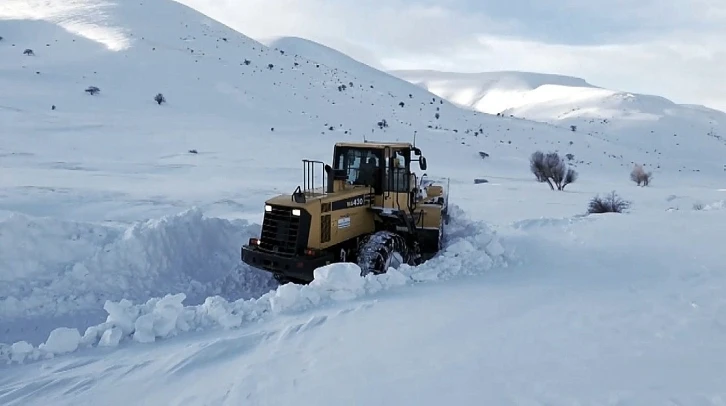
pixel 625 117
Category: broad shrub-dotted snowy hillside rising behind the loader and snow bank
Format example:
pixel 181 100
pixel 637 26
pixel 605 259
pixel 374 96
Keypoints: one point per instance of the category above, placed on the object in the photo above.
pixel 237 116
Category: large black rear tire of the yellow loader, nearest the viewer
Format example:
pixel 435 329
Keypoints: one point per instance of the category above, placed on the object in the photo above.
pixel 381 250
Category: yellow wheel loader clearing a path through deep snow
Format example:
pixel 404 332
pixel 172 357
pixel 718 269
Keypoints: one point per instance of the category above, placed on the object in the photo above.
pixel 370 209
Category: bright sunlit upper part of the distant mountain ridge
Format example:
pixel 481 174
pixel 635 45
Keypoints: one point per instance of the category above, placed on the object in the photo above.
pixel 549 97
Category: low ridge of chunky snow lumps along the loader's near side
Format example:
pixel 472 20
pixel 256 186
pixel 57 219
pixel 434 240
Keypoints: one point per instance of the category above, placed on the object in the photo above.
pixel 470 248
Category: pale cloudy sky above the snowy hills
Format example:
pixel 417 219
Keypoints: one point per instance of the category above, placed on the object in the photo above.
pixel 672 48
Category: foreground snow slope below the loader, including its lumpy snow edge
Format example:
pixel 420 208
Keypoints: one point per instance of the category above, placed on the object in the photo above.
pixel 580 315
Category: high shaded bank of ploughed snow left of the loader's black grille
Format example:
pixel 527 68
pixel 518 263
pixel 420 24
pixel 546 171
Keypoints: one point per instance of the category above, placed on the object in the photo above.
pixel 51 268
